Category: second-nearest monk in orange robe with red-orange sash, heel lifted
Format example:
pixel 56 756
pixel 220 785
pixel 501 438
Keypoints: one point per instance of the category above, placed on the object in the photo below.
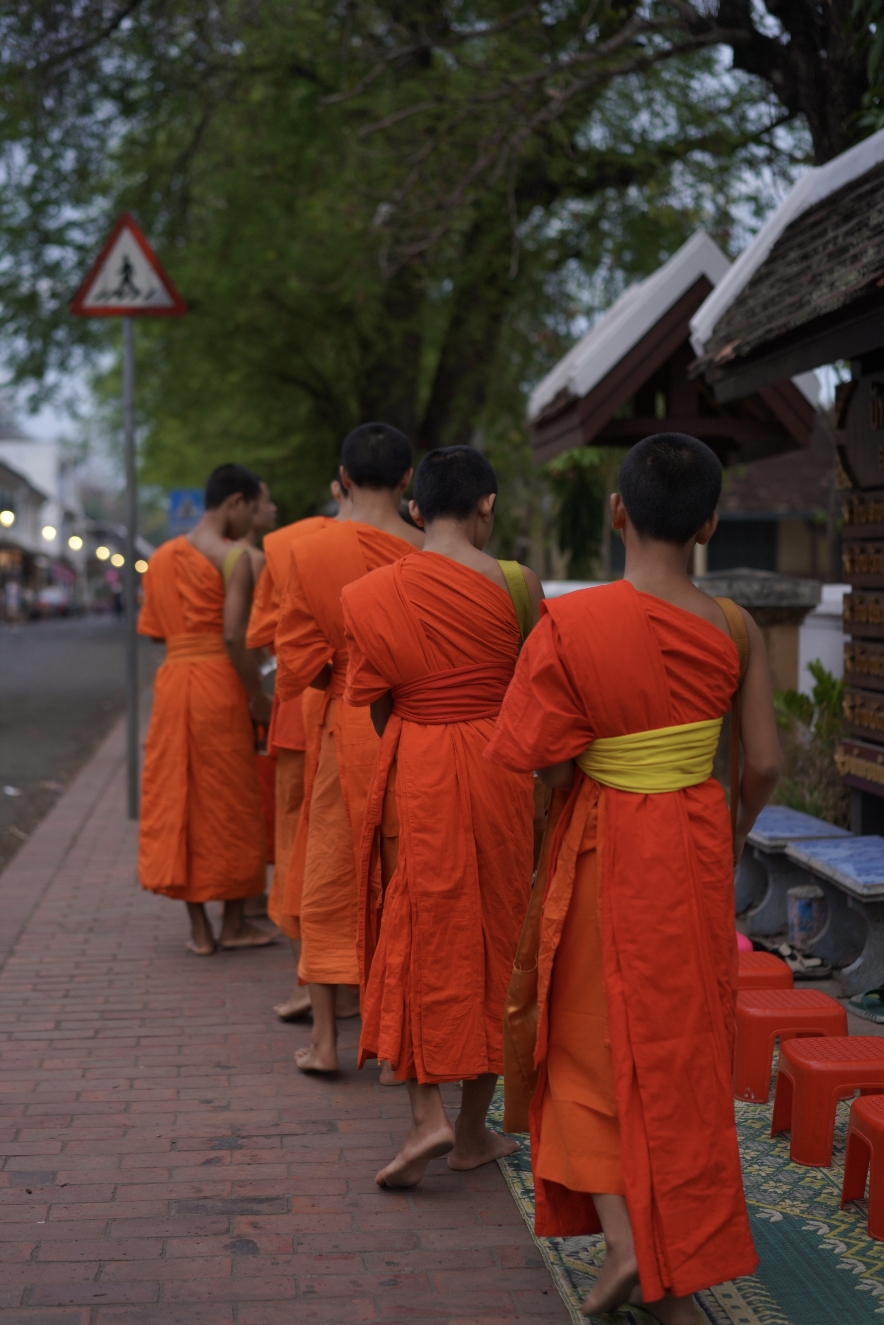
pixel 433 643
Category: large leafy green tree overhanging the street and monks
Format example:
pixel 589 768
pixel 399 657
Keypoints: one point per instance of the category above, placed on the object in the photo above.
pixel 374 210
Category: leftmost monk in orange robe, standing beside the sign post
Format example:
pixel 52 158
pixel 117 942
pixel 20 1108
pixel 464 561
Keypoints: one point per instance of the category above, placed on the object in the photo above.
pixel 202 833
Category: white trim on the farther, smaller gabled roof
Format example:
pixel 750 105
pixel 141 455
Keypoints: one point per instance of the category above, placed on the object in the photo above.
pixel 630 319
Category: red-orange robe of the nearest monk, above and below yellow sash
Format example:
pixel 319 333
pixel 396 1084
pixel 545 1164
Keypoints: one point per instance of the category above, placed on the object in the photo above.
pixel 643 883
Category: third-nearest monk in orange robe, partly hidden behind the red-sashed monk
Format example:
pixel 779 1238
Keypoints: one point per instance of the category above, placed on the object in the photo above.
pixel 376 467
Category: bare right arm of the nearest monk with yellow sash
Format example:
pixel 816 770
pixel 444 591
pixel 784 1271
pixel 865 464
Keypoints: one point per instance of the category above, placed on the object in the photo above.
pixel 763 755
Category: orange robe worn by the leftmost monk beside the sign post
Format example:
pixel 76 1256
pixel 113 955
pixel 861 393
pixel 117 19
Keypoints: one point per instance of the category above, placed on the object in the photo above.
pixel 202 830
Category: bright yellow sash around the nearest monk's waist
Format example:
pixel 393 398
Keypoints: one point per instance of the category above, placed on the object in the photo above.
pixel 647 763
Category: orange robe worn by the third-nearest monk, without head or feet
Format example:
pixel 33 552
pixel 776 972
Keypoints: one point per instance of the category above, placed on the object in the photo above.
pixel 343 745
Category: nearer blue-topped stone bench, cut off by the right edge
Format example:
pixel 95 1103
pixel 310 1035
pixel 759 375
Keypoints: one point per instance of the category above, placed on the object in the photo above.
pixel 852 874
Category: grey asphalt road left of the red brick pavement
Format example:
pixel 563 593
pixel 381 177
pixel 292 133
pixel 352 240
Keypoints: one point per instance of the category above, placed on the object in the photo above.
pixel 62 690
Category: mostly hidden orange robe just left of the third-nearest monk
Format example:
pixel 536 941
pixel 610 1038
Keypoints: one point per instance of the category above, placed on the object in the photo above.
pixel 287 739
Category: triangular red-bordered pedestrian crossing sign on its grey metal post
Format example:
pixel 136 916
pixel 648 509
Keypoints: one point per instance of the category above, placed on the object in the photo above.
pixel 127 282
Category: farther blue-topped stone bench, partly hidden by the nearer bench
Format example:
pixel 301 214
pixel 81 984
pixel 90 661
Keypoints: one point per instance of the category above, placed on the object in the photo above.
pixel 765 873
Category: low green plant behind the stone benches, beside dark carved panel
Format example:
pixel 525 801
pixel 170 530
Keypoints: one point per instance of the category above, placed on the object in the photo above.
pixel 809 727
